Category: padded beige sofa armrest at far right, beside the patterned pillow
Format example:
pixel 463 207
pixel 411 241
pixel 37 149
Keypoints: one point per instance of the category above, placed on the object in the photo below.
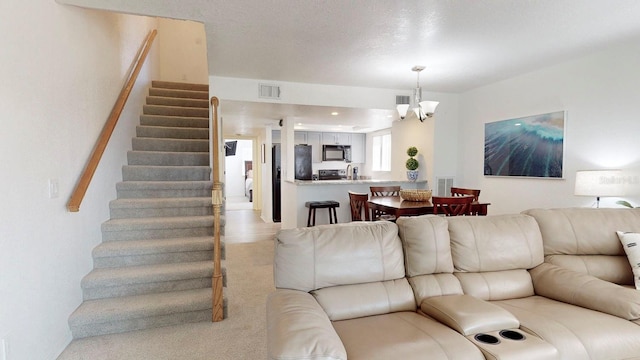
pixel 584 290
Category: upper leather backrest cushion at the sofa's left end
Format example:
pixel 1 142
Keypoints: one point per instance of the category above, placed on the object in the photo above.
pixel 329 255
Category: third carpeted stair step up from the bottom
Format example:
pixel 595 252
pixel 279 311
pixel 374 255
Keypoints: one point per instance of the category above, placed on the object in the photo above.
pixel 154 251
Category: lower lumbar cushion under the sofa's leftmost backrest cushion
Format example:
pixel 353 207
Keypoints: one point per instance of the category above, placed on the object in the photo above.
pixel 358 300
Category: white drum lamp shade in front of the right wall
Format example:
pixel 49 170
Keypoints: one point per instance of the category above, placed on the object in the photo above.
pixel 599 183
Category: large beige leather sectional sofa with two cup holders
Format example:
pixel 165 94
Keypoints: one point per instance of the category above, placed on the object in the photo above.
pixel 544 284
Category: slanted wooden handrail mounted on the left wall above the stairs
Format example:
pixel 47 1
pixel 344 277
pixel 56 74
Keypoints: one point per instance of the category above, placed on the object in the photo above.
pixel 87 174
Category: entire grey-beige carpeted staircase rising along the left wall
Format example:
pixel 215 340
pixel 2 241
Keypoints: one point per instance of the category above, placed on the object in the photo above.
pixel 154 265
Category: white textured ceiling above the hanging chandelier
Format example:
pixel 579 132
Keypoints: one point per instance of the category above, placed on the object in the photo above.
pixel 464 44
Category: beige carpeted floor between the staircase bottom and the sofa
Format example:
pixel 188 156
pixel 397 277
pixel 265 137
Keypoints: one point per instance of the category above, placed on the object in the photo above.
pixel 241 336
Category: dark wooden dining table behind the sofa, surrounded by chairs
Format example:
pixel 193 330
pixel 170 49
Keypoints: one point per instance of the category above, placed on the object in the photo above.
pixel 394 205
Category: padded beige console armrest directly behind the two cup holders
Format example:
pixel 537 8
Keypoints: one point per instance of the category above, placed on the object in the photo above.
pixel 468 315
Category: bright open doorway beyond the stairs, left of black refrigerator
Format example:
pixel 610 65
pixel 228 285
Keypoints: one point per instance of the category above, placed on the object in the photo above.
pixel 238 178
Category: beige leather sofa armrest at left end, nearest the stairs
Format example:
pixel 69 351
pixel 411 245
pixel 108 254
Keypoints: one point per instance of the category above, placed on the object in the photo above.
pixel 298 328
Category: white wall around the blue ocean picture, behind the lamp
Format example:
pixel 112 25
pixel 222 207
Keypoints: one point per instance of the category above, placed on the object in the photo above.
pixel 601 97
